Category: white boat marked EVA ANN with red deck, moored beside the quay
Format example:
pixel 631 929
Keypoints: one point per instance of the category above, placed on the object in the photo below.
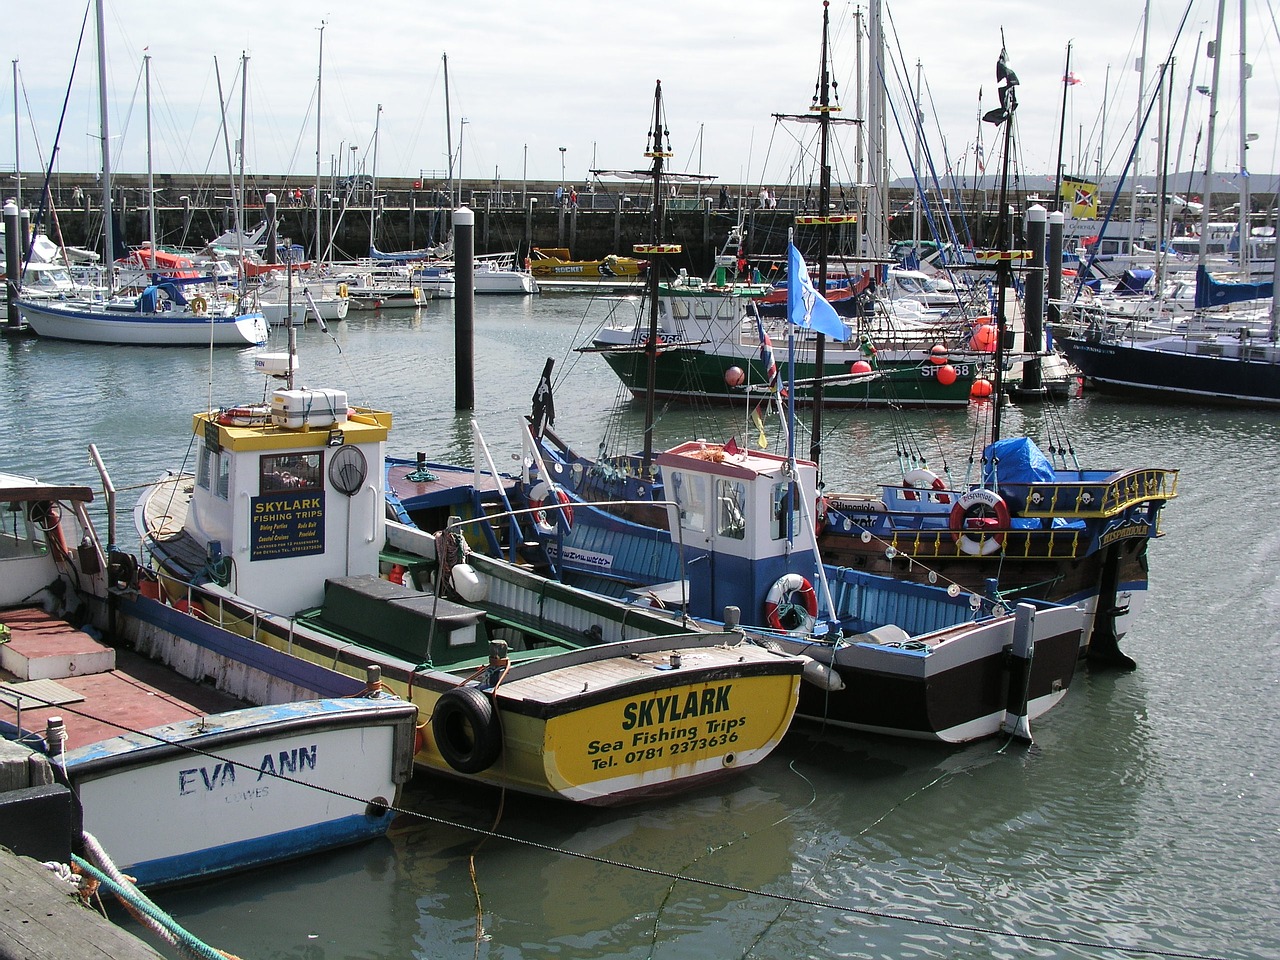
pixel 172 779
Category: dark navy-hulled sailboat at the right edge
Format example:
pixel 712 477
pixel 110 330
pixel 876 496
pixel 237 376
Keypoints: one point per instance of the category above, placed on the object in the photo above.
pixel 1237 364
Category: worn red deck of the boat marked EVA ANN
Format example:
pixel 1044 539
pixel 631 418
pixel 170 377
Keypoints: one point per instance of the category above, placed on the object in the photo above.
pixel 100 692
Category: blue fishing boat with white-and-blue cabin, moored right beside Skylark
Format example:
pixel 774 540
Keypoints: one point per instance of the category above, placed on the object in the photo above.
pixel 728 536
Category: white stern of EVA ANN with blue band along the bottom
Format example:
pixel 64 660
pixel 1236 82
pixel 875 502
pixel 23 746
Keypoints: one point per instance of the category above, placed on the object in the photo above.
pixel 244 789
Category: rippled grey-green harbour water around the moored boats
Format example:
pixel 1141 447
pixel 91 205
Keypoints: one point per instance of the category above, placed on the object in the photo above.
pixel 1145 821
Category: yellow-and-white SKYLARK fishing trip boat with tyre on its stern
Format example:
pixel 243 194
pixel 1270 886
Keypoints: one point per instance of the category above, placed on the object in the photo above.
pixel 524 683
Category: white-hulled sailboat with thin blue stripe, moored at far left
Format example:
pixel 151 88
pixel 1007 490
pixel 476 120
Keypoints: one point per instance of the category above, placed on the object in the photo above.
pixel 171 312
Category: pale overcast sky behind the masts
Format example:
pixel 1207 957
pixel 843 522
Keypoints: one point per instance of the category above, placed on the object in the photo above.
pixel 533 86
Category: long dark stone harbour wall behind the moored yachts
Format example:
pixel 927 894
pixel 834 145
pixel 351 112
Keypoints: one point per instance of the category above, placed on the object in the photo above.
pixel 401 214
